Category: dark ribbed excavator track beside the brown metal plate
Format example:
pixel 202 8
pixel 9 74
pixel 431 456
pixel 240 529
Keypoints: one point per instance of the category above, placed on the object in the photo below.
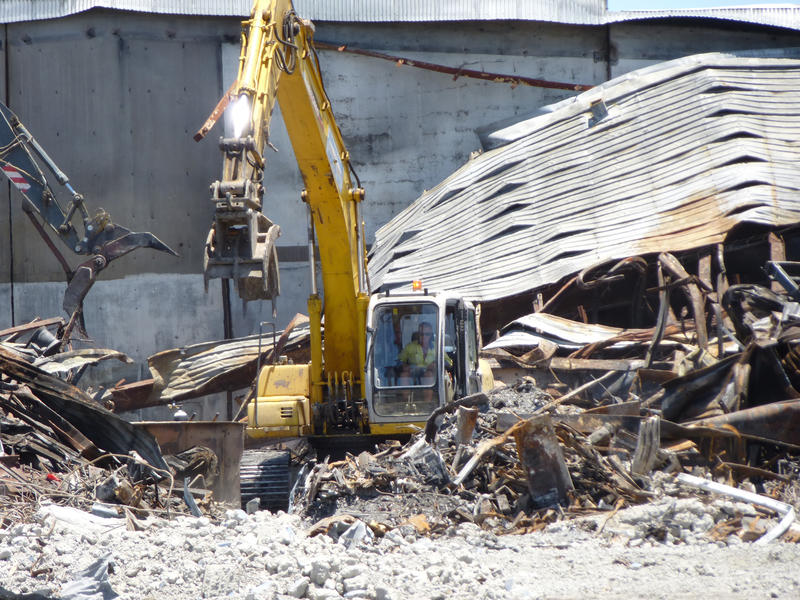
pixel 265 474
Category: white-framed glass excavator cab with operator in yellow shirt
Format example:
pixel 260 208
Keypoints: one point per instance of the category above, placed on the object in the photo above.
pixel 422 352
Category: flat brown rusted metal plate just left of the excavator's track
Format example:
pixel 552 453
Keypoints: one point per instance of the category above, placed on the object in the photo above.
pixel 224 438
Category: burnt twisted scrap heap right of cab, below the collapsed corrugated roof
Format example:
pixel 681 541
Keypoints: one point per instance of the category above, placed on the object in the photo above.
pixel 624 418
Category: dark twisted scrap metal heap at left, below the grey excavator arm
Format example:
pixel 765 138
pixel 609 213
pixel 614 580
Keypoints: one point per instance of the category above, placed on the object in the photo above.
pixel 59 443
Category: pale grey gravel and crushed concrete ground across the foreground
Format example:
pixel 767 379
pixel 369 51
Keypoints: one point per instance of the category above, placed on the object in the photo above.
pixel 268 556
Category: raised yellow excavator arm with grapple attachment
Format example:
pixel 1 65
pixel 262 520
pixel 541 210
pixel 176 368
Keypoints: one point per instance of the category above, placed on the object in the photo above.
pixel 278 62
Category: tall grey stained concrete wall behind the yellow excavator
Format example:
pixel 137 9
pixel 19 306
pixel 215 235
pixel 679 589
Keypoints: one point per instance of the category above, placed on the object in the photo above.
pixel 116 97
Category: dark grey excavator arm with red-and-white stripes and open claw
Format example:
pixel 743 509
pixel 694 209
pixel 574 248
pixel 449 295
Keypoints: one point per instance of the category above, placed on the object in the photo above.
pixel 44 187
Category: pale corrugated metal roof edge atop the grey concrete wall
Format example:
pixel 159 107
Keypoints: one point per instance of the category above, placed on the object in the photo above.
pixel 575 12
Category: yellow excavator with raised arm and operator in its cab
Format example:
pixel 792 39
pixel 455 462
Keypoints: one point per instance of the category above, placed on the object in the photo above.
pixel 387 359
